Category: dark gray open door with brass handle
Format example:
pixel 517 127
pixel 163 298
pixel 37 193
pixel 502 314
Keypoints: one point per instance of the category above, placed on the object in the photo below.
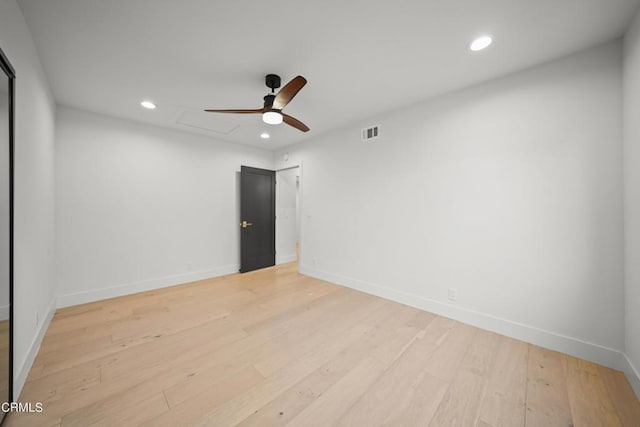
pixel 257 218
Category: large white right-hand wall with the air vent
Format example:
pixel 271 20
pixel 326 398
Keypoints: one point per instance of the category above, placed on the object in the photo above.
pixel 509 192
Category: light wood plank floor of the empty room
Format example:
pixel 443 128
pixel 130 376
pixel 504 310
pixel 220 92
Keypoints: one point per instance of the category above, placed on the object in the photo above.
pixel 276 348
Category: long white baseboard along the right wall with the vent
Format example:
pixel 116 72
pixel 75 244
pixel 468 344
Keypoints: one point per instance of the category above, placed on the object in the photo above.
pixel 573 346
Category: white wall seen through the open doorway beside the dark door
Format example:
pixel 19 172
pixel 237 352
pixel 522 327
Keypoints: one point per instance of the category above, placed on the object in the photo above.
pixel 286 214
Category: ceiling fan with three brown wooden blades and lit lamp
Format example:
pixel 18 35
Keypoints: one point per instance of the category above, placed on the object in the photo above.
pixel 273 104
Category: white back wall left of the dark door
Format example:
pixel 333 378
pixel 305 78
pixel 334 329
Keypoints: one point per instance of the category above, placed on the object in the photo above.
pixel 140 207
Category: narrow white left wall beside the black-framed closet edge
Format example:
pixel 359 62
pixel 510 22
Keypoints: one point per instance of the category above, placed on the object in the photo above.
pixel 34 191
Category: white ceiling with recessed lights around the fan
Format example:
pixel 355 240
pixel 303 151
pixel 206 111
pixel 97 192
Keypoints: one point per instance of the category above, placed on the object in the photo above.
pixel 361 57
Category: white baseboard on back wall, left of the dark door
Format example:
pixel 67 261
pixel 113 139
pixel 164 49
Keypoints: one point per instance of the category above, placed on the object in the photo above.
pixel 142 286
